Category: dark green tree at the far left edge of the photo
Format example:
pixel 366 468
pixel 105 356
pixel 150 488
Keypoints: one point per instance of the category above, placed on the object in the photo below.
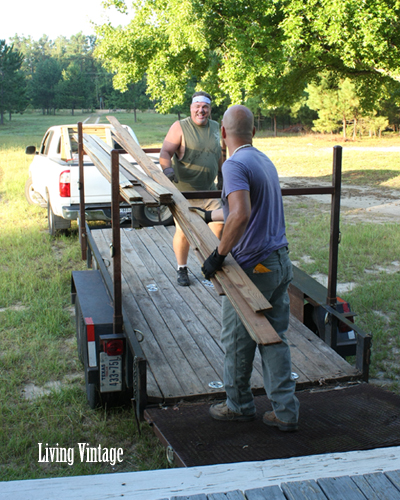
pixel 12 81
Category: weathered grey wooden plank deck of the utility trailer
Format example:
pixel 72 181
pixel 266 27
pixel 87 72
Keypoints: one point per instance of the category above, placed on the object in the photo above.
pixel 180 326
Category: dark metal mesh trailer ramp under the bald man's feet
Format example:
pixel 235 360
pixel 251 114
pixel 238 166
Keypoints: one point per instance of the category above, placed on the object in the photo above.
pixel 358 417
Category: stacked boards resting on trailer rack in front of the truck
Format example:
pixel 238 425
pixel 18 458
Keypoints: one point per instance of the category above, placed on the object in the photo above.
pixel 135 186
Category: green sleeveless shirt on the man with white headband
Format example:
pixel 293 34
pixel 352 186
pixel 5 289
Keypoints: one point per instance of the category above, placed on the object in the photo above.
pixel 198 168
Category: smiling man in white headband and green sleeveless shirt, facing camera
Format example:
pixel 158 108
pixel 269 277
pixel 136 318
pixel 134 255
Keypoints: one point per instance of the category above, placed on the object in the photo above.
pixel 191 157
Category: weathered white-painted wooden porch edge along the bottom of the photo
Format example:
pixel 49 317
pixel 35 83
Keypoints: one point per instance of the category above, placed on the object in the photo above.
pixel 298 478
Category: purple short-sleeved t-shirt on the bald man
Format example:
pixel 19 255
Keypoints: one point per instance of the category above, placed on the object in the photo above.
pixel 251 170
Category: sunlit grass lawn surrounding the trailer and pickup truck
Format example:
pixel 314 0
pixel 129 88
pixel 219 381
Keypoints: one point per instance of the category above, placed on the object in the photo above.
pixel 37 328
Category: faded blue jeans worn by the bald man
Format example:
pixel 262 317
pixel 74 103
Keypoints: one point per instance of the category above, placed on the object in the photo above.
pixel 240 347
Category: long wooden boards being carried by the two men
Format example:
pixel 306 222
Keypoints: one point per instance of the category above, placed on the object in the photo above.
pixel 235 284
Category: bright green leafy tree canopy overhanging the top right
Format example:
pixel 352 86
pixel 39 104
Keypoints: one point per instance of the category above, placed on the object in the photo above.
pixel 246 48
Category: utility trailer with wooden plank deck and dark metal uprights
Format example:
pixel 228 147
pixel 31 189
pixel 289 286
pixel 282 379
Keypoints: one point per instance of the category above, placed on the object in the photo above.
pixel 143 337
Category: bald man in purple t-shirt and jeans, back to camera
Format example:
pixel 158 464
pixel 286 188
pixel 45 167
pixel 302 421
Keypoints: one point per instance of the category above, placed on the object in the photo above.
pixel 254 233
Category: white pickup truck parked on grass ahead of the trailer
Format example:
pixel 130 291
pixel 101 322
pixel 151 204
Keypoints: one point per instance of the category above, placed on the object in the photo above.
pixel 53 181
